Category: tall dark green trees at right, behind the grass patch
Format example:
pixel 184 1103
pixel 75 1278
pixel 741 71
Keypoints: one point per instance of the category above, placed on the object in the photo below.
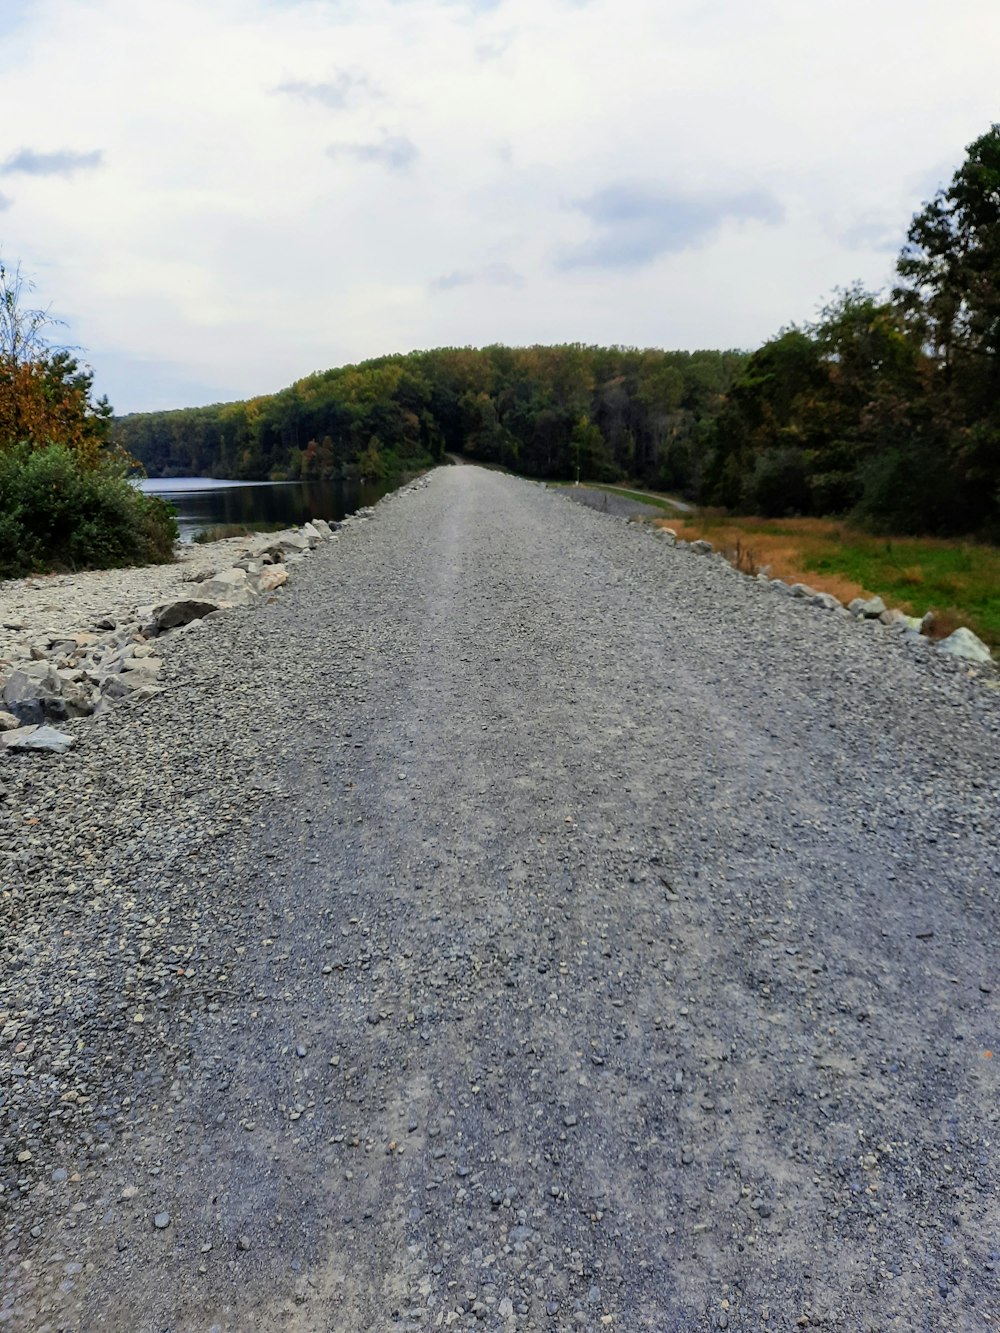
pixel 886 409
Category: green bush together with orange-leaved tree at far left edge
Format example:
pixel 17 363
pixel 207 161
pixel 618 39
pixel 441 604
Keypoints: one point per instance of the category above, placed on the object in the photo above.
pixel 66 501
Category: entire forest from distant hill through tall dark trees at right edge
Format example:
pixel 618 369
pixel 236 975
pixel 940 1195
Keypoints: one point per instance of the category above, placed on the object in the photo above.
pixel 886 410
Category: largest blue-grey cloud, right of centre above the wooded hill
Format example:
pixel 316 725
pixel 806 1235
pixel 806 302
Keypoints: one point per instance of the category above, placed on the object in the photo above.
pixel 637 226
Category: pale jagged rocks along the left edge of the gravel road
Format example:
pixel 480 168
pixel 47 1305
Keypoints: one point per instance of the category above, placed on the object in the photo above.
pixel 63 674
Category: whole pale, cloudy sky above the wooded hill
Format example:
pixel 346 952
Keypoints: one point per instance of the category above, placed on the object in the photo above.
pixel 222 197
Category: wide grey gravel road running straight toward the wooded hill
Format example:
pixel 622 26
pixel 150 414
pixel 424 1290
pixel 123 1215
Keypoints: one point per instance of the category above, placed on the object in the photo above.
pixel 515 924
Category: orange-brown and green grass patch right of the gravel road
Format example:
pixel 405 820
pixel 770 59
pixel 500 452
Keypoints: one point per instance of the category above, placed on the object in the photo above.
pixel 958 581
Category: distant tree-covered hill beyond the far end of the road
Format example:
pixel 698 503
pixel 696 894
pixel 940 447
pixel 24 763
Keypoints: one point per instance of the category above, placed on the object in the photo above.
pixel 543 411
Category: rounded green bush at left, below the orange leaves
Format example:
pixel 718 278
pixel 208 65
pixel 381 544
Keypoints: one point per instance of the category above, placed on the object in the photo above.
pixel 58 515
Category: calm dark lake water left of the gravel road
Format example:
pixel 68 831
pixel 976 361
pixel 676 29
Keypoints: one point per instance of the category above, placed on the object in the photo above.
pixel 203 503
